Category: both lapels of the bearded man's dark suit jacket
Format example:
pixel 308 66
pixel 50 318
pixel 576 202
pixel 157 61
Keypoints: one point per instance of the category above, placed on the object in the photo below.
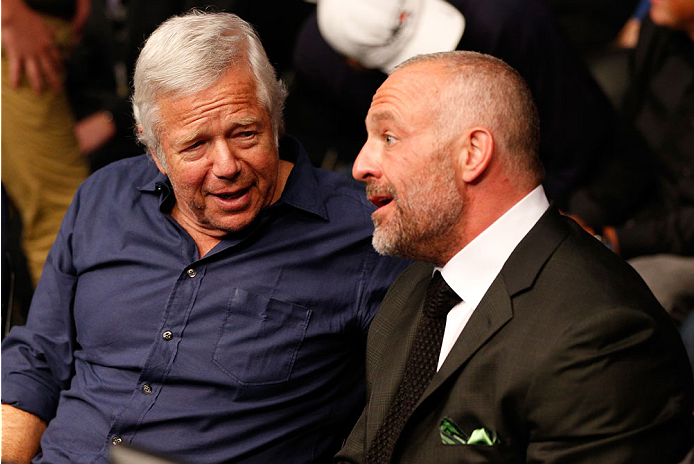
pixel 392 341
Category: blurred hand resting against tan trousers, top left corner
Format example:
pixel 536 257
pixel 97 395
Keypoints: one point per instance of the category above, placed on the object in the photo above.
pixel 30 48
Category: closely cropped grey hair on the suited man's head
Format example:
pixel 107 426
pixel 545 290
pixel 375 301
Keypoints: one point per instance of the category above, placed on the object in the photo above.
pixel 474 89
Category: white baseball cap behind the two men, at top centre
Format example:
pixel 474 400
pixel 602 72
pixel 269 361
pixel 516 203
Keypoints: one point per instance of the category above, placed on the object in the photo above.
pixel 384 33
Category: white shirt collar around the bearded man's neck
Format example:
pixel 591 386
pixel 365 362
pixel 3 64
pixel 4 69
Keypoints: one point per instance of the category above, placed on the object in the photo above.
pixel 472 270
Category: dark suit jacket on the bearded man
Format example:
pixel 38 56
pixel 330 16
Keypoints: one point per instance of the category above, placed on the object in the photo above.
pixel 567 358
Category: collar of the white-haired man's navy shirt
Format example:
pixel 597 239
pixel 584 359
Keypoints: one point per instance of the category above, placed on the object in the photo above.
pixel 301 190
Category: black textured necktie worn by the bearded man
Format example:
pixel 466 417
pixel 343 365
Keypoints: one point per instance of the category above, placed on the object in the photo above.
pixel 419 368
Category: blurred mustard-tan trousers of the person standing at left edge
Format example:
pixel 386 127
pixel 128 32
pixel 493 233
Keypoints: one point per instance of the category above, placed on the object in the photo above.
pixel 41 161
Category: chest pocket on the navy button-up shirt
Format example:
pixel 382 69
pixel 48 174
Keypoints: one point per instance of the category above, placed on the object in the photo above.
pixel 260 338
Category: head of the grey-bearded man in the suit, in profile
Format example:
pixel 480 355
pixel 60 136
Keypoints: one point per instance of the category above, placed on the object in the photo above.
pixel 452 144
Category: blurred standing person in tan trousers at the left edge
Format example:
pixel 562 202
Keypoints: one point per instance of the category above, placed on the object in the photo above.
pixel 41 161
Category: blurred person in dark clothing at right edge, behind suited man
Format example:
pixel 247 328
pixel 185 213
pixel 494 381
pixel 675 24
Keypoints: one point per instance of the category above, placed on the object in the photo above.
pixel 651 222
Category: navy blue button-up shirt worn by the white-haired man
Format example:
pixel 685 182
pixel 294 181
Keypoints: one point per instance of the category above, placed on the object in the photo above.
pixel 253 353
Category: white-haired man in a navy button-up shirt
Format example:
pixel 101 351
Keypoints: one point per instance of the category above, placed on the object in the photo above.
pixel 211 301
